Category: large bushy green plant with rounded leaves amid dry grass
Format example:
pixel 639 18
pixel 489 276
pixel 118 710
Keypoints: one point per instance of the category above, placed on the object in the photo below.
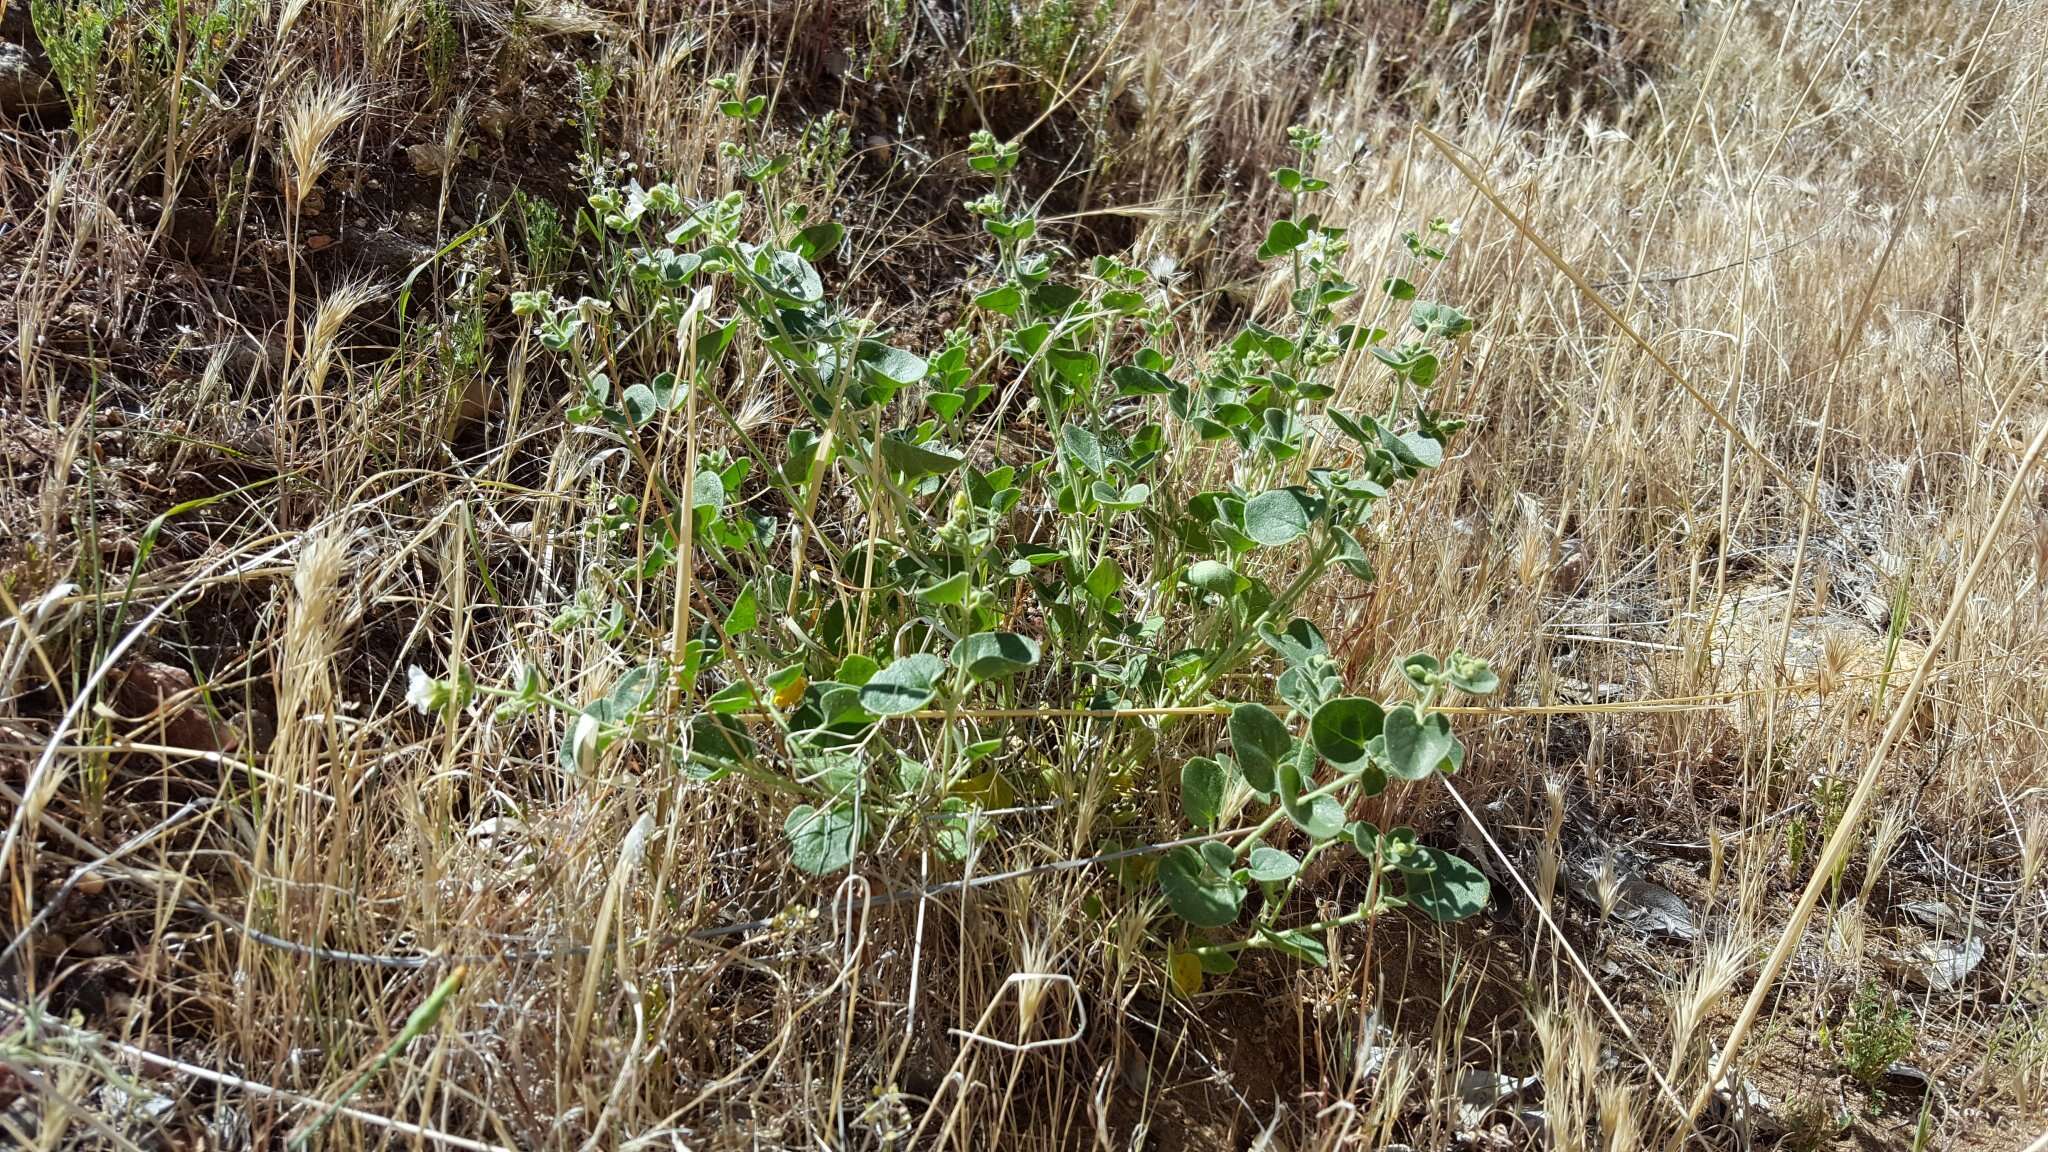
pixel 873 677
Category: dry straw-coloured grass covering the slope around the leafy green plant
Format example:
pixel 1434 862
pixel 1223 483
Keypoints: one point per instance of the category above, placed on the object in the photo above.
pixel 1760 352
